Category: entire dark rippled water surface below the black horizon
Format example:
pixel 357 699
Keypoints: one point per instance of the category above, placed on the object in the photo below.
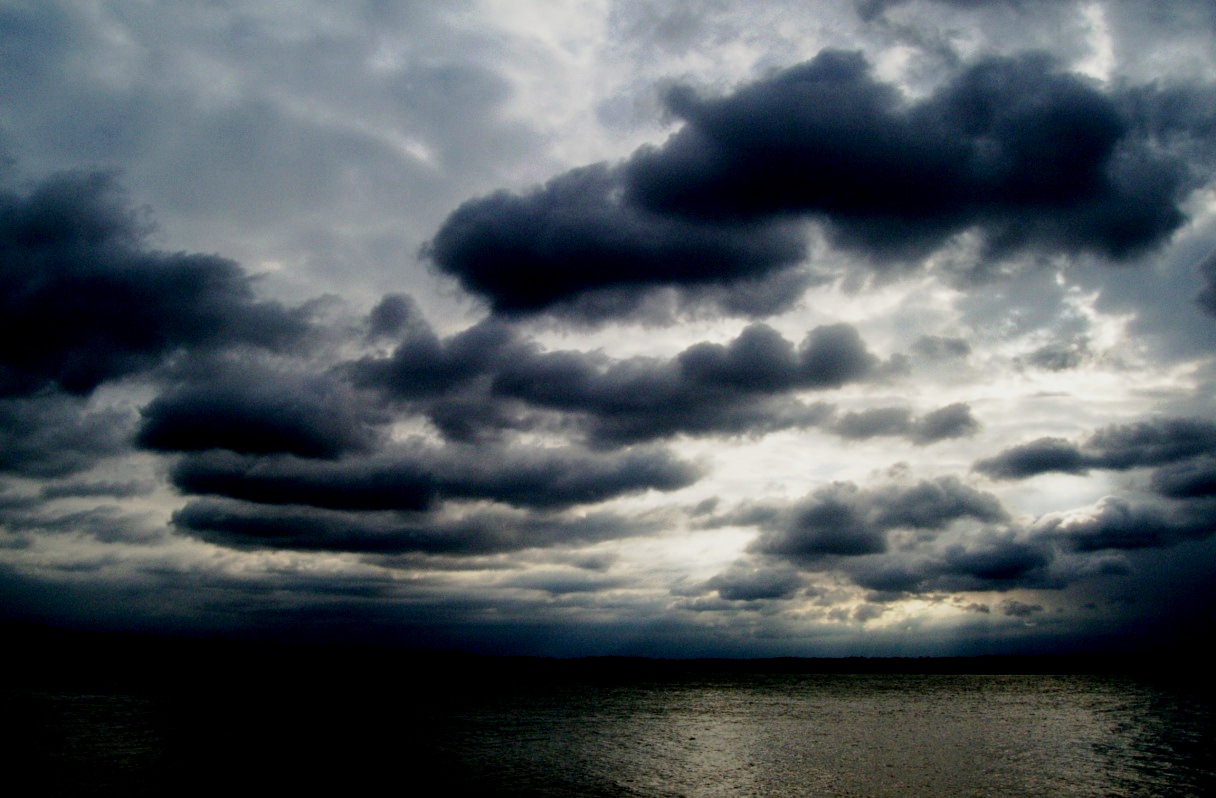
pixel 730 735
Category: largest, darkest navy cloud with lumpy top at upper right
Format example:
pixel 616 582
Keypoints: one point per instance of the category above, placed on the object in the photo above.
pixel 1033 156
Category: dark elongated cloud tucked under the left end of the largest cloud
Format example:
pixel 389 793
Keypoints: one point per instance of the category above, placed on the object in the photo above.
pixel 577 235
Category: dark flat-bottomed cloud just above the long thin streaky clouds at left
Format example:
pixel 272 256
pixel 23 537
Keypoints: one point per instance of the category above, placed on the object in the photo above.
pixel 254 411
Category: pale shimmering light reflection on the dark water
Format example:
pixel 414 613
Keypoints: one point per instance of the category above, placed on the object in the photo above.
pixel 836 735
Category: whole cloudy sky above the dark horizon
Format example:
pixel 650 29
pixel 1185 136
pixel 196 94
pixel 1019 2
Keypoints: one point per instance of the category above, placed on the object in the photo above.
pixel 564 328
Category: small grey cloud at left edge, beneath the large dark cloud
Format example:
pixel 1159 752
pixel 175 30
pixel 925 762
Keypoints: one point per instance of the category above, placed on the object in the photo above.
pixel 55 435
